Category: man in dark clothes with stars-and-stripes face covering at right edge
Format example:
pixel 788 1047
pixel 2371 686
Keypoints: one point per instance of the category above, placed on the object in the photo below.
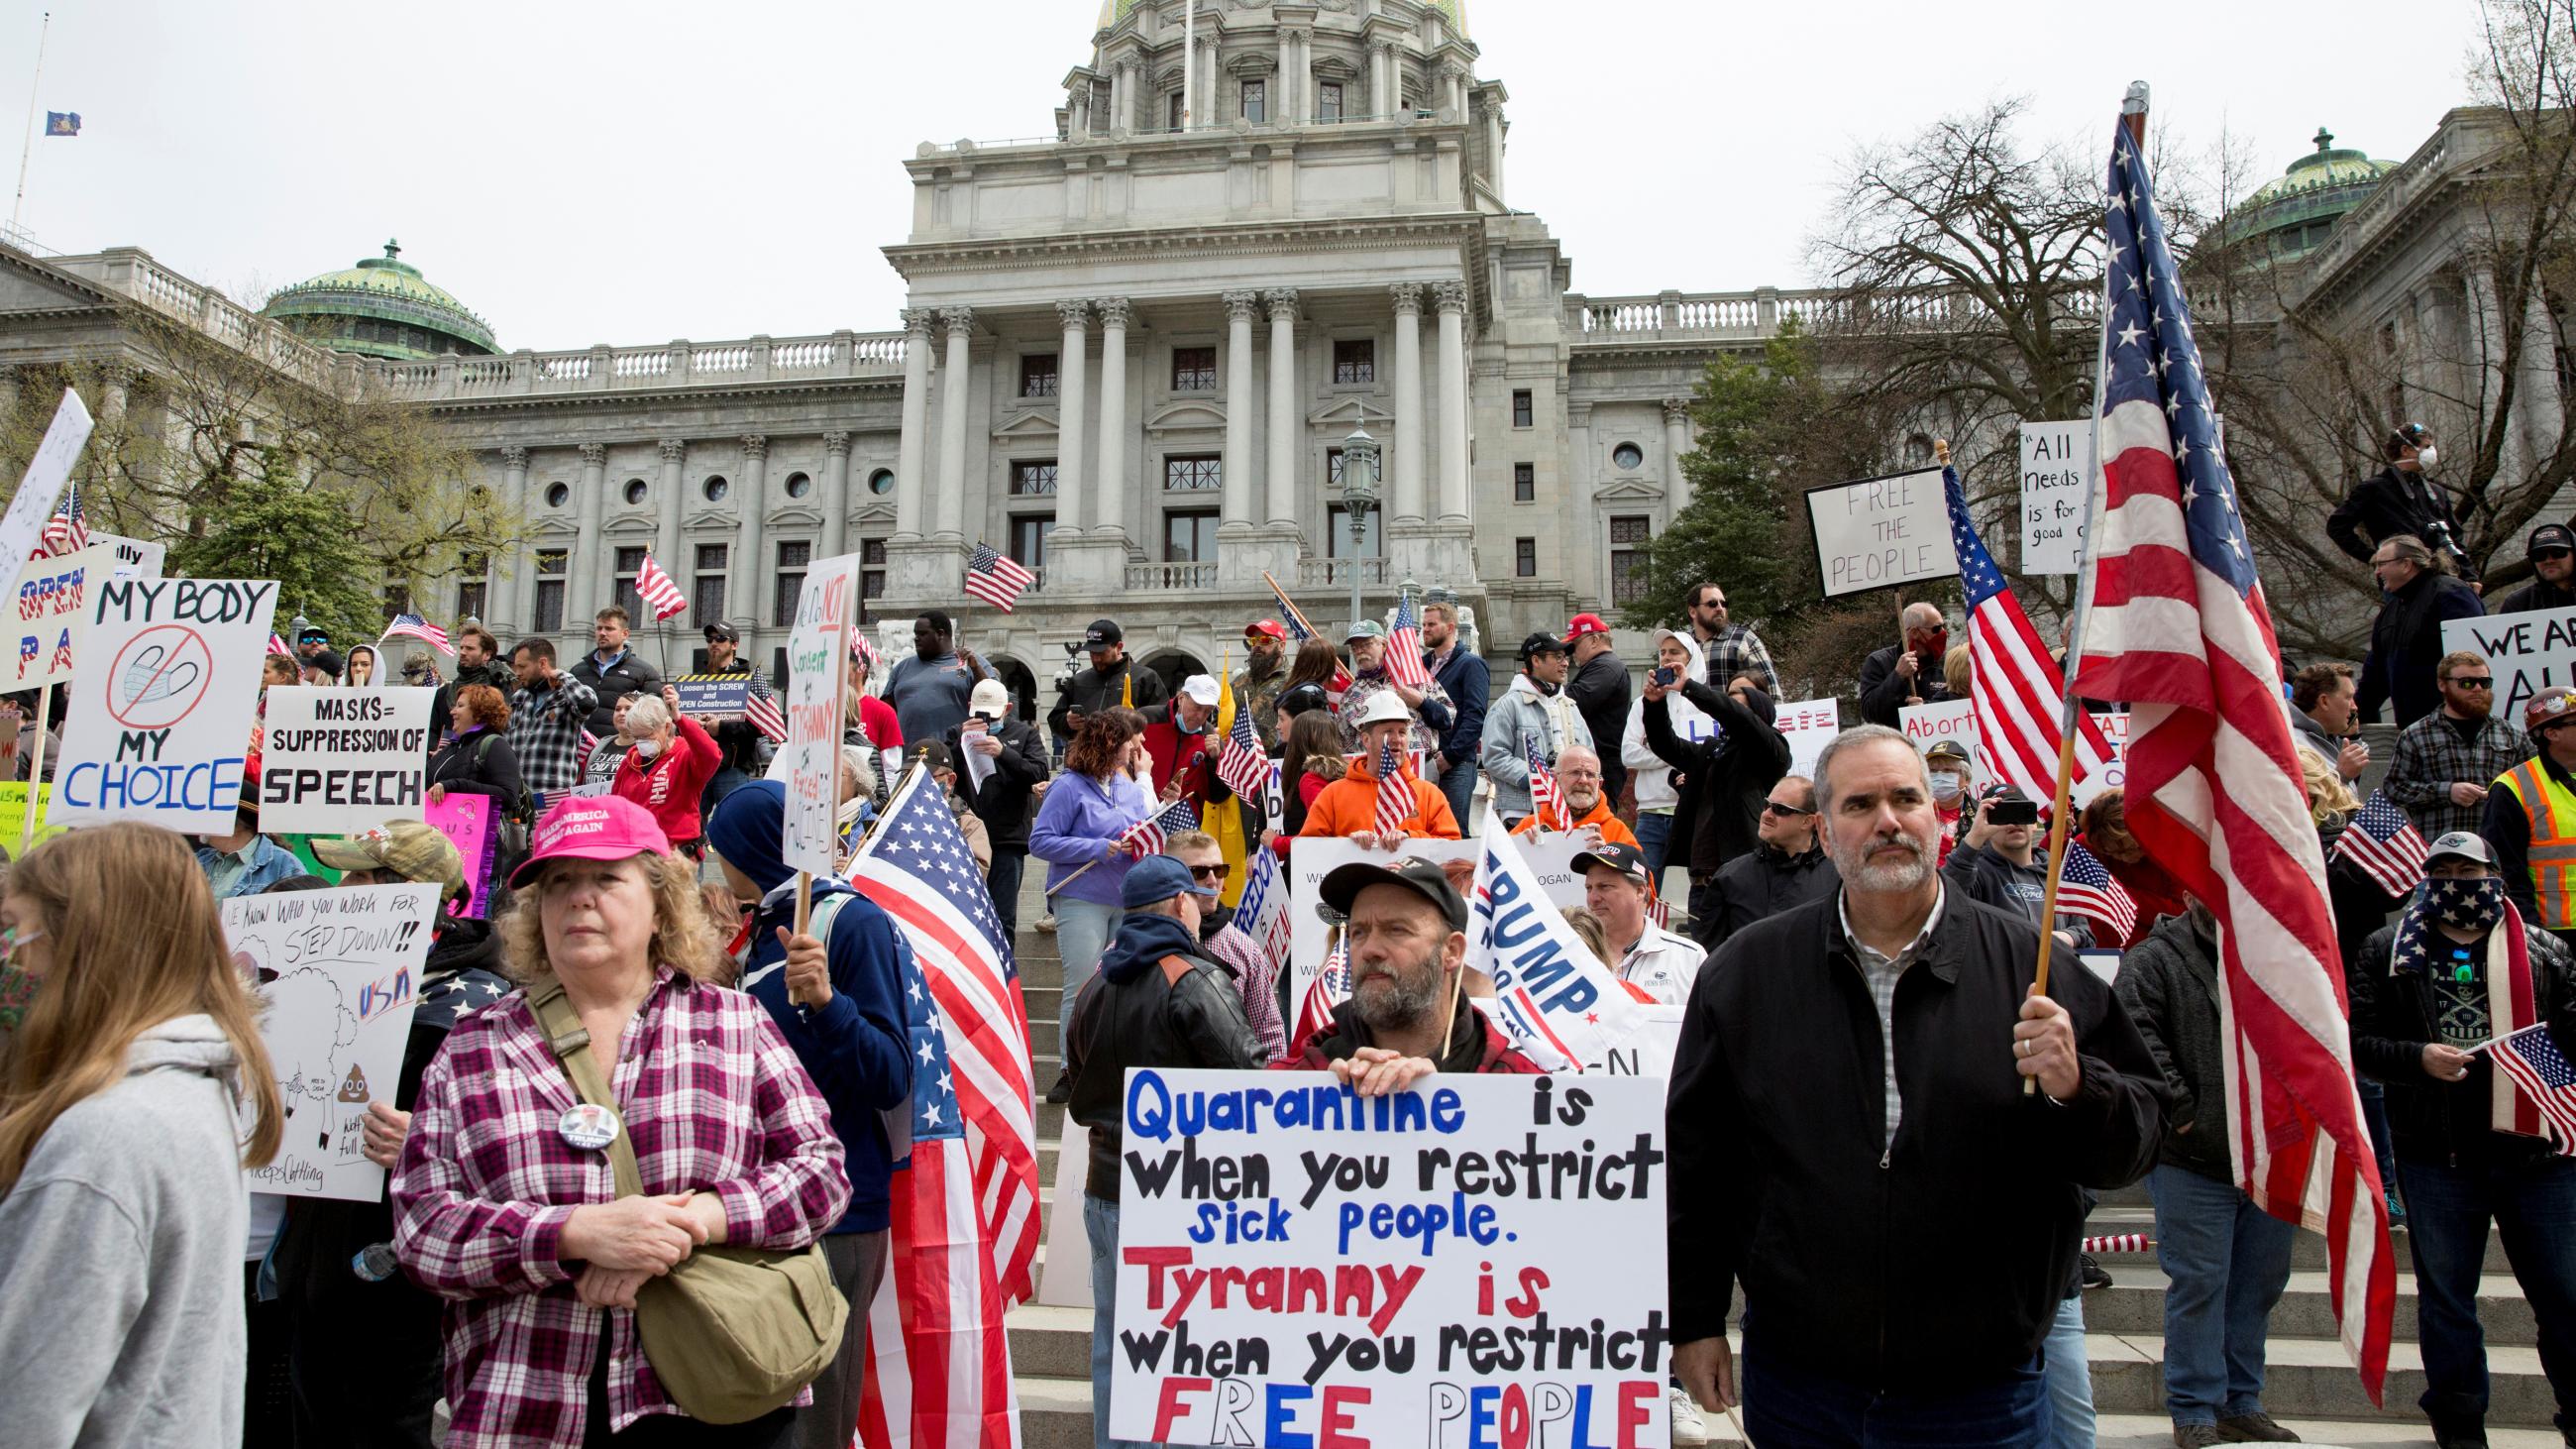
pixel 2428 997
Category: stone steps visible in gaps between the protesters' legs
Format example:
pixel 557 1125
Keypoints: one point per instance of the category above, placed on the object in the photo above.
pixel 2309 1386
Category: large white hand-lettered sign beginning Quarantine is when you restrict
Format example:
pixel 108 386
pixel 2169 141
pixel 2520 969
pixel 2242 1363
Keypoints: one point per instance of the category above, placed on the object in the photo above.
pixel 1300 1265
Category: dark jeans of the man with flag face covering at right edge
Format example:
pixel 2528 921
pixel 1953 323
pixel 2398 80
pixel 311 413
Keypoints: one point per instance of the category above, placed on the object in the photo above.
pixel 2533 1203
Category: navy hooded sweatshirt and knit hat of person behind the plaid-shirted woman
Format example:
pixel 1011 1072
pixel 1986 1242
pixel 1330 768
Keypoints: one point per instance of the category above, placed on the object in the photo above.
pixel 851 1045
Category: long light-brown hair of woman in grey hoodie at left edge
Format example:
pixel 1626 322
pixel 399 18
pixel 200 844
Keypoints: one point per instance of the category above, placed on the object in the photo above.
pixel 135 942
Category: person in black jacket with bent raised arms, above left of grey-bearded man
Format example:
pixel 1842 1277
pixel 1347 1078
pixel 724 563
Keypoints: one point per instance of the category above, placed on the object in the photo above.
pixel 1725 777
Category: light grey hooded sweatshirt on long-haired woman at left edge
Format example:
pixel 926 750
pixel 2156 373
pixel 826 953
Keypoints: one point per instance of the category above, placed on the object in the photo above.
pixel 122 1257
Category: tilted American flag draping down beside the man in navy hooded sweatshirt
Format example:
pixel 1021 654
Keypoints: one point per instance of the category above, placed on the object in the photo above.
pixel 916 865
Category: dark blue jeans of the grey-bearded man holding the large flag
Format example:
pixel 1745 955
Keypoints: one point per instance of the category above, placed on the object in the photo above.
pixel 1794 1409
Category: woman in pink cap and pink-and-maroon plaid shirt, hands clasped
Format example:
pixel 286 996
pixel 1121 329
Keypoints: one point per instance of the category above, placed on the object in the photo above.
pixel 522 1231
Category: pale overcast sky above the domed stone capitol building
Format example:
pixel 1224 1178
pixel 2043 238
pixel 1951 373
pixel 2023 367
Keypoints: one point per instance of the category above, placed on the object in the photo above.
pixel 643 171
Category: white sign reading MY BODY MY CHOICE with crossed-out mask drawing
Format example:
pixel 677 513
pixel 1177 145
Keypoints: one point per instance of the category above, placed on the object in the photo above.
pixel 166 705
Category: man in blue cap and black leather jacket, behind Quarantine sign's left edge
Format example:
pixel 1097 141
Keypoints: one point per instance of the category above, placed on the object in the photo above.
pixel 1160 1004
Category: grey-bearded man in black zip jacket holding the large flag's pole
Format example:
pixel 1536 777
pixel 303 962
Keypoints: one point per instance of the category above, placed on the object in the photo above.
pixel 1851 1141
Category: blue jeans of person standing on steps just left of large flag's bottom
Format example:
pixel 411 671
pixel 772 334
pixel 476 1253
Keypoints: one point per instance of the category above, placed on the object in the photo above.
pixel 2227 1262
